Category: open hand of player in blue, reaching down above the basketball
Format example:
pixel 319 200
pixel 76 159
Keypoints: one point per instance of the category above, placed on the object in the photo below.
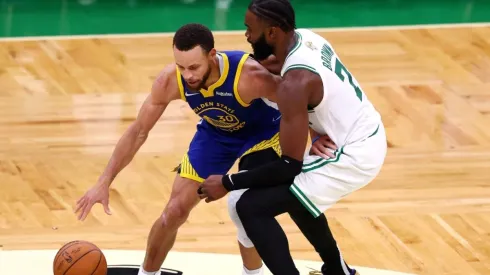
pixel 97 194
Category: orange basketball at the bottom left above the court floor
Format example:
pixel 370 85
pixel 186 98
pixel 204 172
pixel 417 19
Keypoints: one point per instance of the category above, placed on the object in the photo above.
pixel 79 258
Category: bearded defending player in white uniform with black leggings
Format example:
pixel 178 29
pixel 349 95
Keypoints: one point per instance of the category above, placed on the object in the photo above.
pixel 317 91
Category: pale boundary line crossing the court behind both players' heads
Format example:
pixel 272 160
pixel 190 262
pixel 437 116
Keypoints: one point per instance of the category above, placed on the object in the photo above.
pixel 241 32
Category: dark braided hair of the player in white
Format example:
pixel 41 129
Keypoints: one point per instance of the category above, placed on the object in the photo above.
pixel 278 13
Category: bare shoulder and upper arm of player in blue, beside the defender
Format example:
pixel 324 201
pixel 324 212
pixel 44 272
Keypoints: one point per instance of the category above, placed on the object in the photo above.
pixel 256 82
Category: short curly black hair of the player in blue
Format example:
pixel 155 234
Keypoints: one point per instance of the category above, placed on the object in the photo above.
pixel 191 35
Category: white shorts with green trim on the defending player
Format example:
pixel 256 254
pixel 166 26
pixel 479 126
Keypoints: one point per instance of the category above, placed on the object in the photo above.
pixel 323 182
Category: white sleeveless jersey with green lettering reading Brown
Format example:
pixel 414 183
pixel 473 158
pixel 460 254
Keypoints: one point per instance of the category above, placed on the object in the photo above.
pixel 345 114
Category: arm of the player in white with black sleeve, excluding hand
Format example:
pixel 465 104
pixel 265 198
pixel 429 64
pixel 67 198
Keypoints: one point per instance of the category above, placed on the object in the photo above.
pixel 293 97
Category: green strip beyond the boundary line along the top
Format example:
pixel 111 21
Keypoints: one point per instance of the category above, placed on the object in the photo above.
pixel 72 17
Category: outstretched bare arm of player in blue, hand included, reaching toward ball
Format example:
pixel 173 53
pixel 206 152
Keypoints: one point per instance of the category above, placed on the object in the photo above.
pixel 164 90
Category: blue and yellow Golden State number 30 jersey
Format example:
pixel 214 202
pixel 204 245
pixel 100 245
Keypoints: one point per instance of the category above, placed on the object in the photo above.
pixel 221 107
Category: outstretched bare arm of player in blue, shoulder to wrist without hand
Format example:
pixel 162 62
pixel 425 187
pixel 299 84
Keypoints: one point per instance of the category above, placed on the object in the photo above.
pixel 163 91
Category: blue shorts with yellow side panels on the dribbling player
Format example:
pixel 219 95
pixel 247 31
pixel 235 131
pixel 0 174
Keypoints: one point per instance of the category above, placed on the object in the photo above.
pixel 214 153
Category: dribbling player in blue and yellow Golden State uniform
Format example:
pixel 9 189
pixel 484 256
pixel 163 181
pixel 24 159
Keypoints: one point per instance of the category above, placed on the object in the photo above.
pixel 228 90
